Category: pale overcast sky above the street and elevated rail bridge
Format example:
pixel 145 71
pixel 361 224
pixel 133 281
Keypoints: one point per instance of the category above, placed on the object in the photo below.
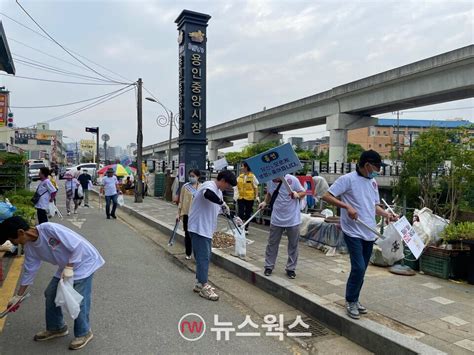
pixel 260 54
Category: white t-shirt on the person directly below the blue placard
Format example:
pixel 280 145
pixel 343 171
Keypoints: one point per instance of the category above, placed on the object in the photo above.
pixel 286 210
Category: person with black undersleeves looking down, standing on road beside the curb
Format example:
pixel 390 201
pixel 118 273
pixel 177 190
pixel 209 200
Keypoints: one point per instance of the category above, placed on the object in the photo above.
pixel 207 204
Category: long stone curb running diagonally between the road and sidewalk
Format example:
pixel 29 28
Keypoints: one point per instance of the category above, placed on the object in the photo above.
pixel 372 336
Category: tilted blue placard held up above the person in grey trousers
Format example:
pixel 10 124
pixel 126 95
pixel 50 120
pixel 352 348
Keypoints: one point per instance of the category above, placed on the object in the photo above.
pixel 274 163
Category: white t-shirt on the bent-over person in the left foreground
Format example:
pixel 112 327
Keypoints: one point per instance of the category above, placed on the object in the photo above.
pixel 60 246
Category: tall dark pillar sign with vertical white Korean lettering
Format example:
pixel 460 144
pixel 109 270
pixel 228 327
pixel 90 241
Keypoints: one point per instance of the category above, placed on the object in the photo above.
pixel 192 38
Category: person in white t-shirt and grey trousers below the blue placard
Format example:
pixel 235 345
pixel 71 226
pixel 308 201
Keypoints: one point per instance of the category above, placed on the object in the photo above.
pixel 286 215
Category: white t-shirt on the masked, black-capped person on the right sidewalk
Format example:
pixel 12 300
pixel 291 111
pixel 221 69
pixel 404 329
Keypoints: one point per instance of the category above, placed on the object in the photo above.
pixel 362 194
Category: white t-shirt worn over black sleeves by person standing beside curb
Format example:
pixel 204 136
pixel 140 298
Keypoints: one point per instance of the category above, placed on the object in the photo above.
pixel 203 213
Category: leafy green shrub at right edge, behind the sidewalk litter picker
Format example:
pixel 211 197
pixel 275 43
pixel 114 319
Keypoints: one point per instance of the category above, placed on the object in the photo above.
pixel 442 191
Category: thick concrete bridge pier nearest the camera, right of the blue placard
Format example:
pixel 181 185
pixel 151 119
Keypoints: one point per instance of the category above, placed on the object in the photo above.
pixel 338 125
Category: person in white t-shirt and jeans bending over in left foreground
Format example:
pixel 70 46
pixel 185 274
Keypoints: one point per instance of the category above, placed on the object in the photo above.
pixel 76 258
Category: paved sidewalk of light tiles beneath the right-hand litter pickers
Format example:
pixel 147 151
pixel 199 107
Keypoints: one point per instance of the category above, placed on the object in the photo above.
pixel 437 312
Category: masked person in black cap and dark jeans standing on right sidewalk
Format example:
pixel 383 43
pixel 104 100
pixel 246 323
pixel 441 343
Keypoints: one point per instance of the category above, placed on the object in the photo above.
pixel 358 199
